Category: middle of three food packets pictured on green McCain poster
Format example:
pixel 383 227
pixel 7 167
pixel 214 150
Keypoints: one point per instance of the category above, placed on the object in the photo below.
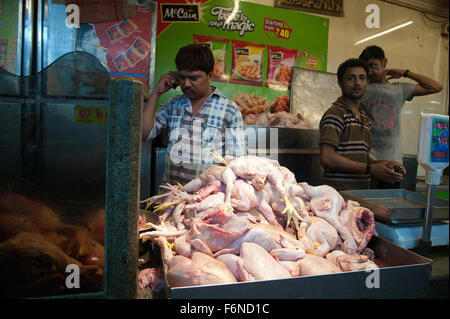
pixel 246 65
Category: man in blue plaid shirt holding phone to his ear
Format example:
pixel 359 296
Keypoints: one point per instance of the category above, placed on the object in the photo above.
pixel 200 120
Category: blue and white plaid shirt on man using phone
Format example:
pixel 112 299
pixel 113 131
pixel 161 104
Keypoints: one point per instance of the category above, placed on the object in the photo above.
pixel 216 127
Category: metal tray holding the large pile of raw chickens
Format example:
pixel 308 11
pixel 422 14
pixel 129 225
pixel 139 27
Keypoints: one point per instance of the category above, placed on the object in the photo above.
pixel 400 270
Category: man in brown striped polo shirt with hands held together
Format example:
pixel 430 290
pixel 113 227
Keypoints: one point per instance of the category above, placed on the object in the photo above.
pixel 345 135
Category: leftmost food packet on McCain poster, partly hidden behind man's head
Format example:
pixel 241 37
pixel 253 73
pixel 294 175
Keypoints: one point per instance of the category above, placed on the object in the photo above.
pixel 219 48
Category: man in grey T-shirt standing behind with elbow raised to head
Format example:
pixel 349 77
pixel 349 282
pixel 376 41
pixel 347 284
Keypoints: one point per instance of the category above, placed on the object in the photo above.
pixel 383 102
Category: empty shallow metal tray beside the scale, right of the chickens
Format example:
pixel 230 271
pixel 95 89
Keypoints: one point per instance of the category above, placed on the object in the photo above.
pixel 398 205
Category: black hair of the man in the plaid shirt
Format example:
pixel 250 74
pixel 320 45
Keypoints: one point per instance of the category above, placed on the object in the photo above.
pixel 194 57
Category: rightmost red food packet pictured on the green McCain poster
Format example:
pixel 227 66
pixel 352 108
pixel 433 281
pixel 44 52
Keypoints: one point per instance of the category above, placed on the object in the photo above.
pixel 280 62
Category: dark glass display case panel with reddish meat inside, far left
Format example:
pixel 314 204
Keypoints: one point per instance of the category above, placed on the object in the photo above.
pixel 53 143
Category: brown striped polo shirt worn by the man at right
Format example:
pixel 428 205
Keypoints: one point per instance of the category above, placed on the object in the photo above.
pixel 340 128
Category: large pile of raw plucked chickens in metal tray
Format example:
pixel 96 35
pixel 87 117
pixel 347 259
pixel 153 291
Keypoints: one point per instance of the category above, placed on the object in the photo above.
pixel 248 219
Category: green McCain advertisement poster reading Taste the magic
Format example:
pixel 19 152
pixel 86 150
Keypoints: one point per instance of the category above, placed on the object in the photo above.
pixel 255 47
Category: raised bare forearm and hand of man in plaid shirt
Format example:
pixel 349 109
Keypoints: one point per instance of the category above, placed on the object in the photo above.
pixel 148 117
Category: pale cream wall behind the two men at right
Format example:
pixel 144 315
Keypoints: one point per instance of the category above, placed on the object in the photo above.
pixel 418 47
